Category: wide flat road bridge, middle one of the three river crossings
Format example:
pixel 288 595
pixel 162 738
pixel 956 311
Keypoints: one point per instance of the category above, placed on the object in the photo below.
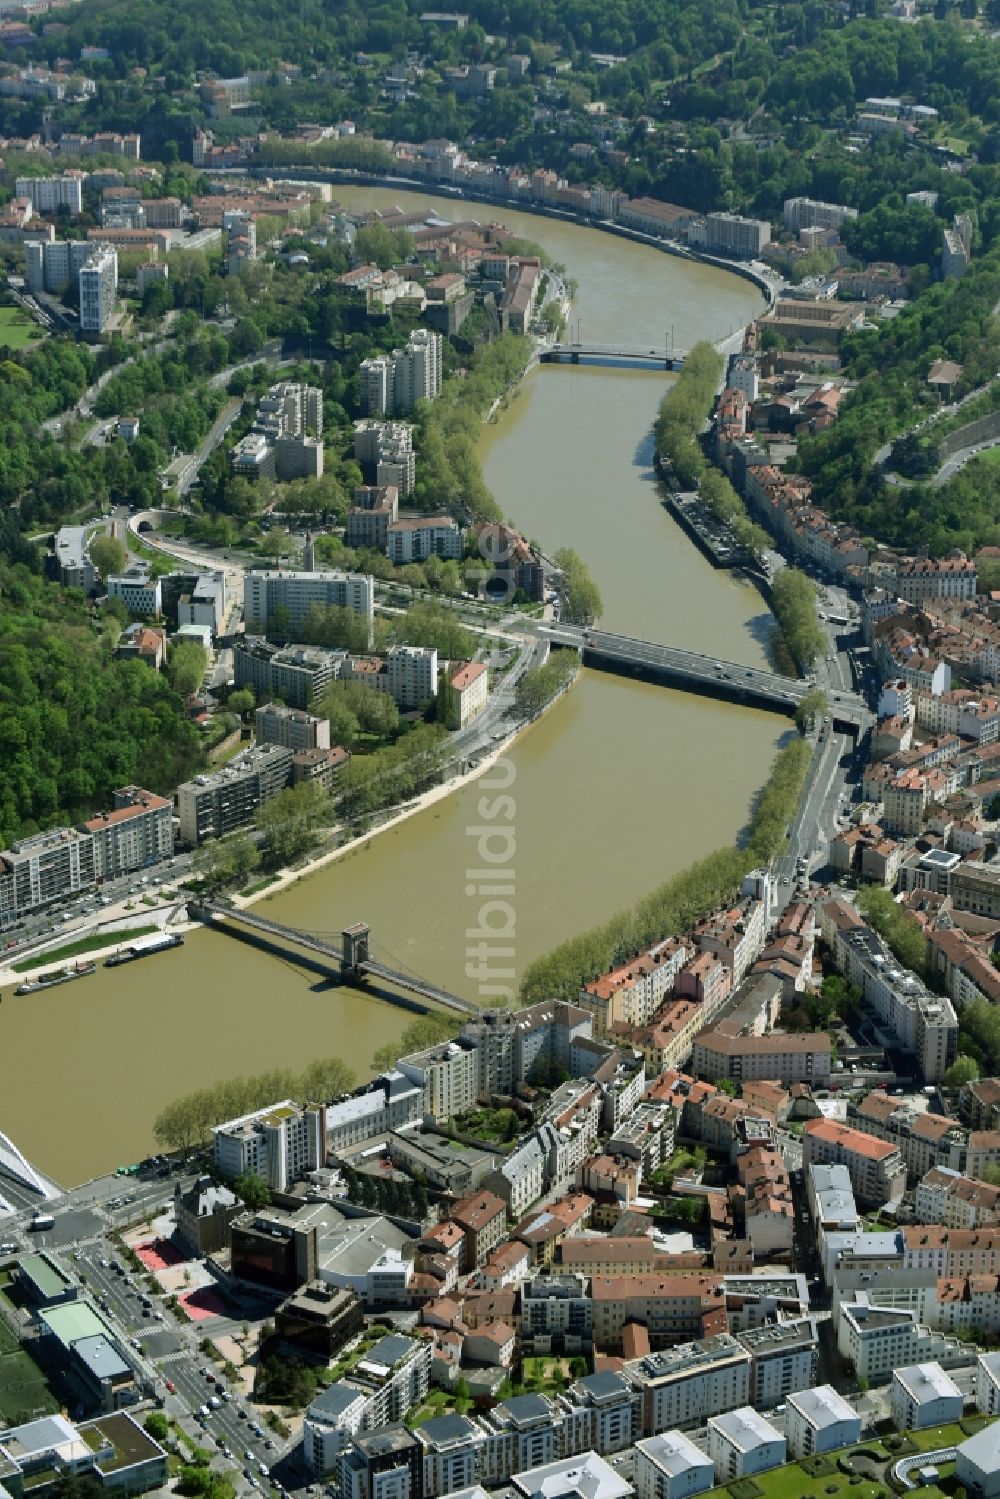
pixel 693 672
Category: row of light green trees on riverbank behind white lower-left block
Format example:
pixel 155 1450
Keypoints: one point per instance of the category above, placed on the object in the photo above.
pixel 191 1119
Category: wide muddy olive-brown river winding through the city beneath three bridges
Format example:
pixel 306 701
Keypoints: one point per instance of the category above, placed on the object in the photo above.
pixel 617 789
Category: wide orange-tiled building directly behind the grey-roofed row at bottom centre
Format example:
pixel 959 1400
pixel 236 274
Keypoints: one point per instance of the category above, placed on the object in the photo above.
pixel 674 1308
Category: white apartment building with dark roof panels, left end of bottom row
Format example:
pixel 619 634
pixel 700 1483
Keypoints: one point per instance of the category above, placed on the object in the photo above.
pixel 391 1380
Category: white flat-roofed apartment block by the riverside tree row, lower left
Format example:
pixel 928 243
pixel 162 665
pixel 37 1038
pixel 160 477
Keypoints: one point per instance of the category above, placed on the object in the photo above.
pixel 280 1143
